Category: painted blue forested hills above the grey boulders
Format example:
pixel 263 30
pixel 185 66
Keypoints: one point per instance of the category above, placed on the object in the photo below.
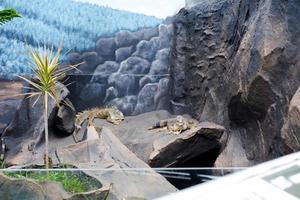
pixel 77 25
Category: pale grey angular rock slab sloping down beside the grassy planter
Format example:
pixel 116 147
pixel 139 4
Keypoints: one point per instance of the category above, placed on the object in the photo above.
pixel 110 154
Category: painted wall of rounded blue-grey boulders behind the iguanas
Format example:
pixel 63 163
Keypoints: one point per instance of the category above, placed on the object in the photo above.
pixel 130 71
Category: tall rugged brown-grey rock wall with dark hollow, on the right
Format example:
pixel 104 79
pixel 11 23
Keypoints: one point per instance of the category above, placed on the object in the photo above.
pixel 237 63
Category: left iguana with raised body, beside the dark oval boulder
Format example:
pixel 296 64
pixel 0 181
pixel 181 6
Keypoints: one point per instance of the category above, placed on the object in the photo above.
pixel 111 114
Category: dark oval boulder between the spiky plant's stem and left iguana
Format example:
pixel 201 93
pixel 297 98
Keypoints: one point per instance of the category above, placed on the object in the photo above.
pixel 64 121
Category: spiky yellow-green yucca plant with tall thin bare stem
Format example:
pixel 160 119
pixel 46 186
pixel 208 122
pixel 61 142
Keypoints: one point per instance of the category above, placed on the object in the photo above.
pixel 47 74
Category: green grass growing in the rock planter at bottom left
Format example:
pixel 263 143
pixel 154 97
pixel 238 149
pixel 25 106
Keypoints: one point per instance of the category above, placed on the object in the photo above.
pixel 70 181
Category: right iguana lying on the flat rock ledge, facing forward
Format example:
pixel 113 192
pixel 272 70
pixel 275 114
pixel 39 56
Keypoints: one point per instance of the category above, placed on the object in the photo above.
pixel 175 125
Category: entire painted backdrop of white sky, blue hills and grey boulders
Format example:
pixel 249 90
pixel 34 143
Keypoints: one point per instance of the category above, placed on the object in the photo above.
pixel 123 47
